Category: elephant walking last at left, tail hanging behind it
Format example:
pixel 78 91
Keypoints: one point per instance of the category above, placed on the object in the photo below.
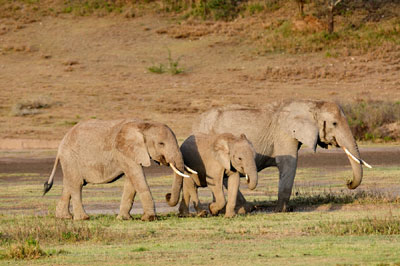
pixel 100 152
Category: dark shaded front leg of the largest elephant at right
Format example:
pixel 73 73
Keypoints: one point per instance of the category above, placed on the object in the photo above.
pixel 287 171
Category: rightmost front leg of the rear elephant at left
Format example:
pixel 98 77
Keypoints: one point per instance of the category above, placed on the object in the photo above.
pixel 138 179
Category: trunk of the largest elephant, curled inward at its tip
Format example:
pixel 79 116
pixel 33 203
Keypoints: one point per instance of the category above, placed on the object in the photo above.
pixel 350 144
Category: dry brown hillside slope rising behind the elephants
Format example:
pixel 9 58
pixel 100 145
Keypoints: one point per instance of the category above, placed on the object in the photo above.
pixel 89 67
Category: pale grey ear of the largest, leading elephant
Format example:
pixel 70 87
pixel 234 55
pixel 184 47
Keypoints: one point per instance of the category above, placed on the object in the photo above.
pixel 304 130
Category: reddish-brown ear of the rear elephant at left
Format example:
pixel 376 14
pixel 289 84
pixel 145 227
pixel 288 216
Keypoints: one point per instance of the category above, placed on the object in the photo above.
pixel 130 142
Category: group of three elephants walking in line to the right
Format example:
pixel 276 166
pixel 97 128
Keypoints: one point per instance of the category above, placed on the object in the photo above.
pixel 227 143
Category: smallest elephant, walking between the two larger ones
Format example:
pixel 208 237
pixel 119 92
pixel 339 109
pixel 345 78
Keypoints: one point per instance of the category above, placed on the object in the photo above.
pixel 214 157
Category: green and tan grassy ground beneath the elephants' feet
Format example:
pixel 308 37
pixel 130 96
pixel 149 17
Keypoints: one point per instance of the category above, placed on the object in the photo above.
pixel 329 225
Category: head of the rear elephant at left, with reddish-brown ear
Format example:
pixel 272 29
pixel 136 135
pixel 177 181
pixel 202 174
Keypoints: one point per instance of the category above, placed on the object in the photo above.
pixel 145 141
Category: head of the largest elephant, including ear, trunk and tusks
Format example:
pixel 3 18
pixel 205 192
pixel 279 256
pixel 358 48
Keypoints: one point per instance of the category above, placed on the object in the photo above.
pixel 325 124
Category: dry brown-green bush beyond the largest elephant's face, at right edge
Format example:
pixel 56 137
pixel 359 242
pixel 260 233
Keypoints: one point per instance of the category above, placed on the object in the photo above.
pixel 368 119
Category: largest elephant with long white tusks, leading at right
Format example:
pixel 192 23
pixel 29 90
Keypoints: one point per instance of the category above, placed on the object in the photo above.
pixel 277 132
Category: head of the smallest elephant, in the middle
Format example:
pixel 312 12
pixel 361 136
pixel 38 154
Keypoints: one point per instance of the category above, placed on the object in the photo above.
pixel 237 153
